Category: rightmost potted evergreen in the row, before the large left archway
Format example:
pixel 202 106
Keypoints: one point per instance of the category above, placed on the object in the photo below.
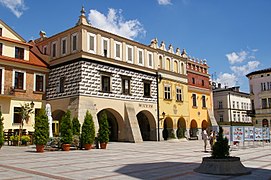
pixel 103 136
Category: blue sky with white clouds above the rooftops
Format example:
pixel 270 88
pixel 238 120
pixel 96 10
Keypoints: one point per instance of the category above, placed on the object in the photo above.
pixel 233 35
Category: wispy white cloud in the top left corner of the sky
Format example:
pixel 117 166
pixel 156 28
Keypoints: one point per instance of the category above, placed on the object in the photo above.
pixel 17 7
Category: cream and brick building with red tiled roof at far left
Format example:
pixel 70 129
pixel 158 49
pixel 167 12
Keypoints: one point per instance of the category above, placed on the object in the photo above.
pixel 22 79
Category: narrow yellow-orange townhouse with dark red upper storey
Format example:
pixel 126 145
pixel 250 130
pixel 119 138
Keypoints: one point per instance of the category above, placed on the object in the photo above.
pixel 200 98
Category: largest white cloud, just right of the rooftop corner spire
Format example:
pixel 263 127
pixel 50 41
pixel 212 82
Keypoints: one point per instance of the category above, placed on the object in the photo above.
pixel 114 22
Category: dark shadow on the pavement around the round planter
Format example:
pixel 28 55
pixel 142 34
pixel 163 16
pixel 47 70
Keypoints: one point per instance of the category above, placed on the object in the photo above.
pixel 179 170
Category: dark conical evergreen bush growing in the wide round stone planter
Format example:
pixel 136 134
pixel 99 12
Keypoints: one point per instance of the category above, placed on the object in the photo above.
pixel 221 147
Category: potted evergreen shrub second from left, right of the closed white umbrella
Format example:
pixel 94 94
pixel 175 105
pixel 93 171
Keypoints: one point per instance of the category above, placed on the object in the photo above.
pixel 66 131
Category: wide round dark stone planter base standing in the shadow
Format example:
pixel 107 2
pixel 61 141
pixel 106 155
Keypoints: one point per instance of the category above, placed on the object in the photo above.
pixel 225 166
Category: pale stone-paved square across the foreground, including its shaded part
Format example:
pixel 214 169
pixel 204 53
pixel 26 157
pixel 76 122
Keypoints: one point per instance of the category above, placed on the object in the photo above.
pixel 147 160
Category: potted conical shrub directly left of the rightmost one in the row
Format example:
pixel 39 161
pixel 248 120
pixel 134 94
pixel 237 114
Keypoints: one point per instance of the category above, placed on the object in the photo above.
pixel 88 132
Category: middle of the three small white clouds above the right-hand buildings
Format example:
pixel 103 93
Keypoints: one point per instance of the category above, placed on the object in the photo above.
pixel 245 69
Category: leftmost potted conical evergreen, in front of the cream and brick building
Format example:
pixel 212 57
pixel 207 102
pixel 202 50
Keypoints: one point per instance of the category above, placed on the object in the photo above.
pixel 41 133
